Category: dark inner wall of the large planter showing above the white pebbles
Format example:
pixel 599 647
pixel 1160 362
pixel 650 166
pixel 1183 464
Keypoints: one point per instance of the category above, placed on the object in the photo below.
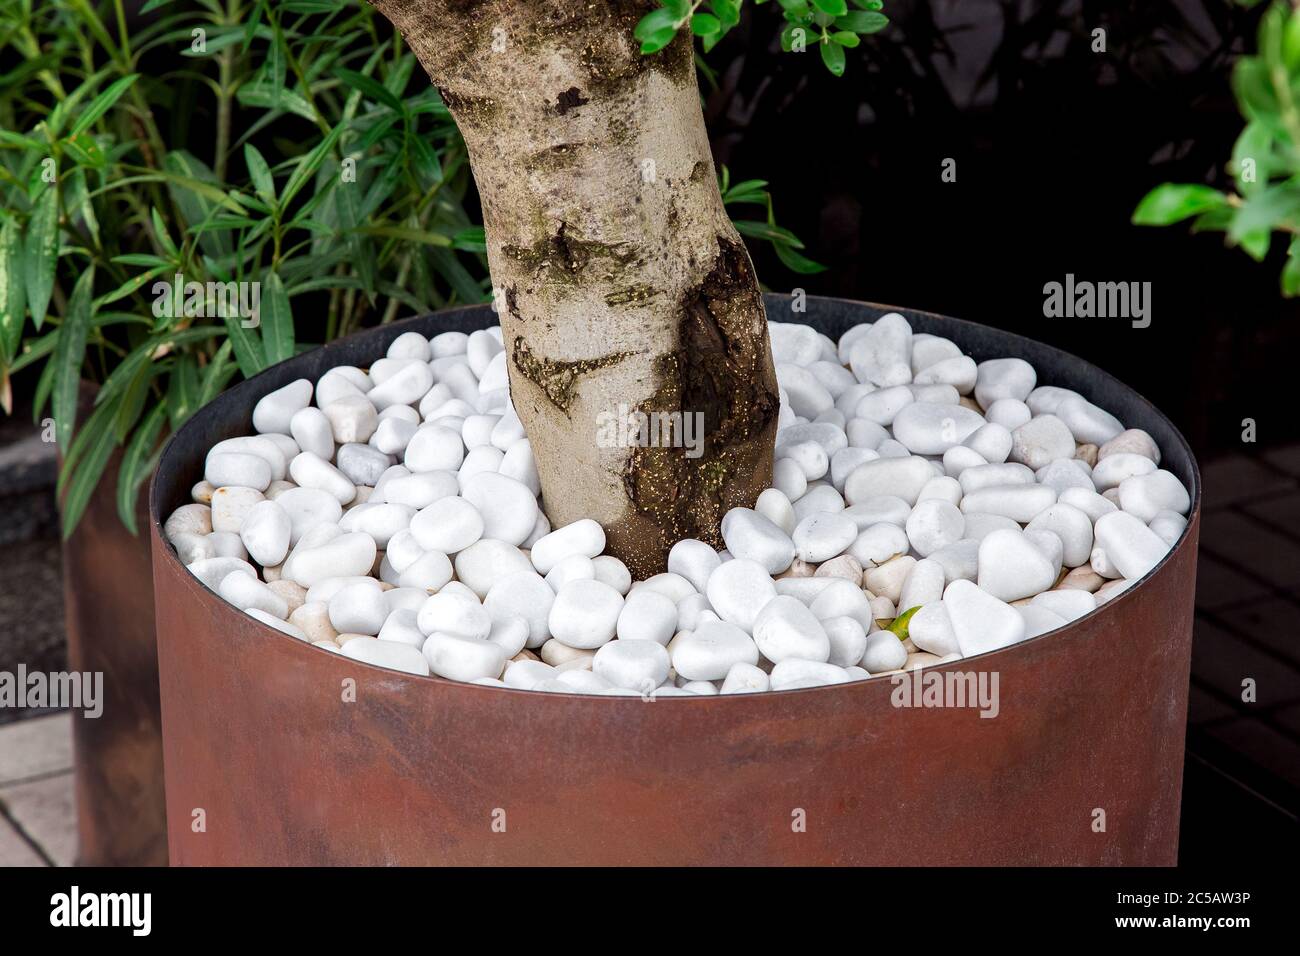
pixel 231 414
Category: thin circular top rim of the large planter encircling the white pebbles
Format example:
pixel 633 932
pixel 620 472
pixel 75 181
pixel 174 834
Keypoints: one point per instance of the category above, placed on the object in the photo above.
pixel 987 659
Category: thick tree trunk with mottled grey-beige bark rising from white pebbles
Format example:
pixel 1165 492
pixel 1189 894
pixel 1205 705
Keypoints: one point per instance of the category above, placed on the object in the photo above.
pixel 621 283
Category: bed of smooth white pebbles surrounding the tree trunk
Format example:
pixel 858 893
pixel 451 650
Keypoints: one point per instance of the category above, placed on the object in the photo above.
pixel 392 516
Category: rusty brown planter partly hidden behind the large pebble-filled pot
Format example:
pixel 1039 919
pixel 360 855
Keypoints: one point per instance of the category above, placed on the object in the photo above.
pixel 109 603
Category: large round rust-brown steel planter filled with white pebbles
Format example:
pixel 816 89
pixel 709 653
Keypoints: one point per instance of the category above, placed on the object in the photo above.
pixel 1082 765
